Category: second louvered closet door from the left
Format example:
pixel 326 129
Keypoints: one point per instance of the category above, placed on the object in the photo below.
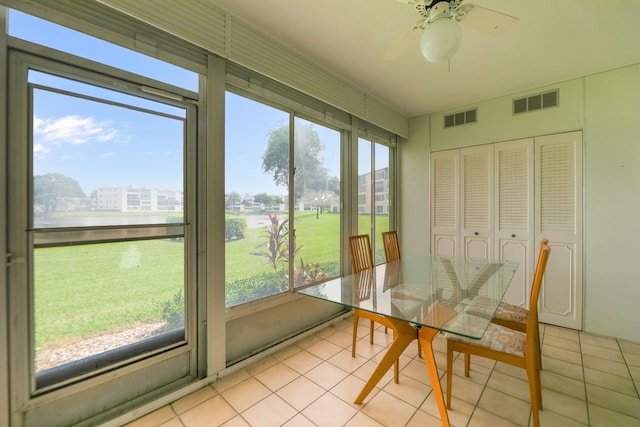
pixel 476 167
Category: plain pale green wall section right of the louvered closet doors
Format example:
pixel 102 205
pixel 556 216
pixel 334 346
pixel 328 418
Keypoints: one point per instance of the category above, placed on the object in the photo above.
pixel 612 203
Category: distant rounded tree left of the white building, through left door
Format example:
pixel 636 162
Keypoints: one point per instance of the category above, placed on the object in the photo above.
pixel 50 188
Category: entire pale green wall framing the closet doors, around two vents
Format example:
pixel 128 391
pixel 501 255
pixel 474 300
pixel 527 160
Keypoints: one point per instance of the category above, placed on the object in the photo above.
pixel 606 107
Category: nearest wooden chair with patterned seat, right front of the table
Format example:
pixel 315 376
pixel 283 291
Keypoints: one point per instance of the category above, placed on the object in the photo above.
pixel 507 345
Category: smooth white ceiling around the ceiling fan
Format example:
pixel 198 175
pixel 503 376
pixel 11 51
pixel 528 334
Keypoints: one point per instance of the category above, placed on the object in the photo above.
pixel 554 40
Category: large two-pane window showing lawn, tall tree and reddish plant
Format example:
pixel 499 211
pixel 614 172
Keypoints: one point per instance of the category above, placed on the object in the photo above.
pixel 268 251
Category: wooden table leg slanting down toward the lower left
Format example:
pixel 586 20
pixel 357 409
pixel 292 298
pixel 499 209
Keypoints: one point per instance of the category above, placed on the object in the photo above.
pixel 403 333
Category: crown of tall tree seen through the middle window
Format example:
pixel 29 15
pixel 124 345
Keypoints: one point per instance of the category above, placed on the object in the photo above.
pixel 310 171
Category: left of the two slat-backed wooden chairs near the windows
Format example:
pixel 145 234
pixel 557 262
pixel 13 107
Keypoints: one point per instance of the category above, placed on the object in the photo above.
pixel 362 259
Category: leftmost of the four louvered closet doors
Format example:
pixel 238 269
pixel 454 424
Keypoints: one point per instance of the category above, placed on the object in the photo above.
pixel 444 202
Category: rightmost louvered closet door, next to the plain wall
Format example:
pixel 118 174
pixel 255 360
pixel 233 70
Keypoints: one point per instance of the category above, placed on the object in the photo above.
pixel 559 217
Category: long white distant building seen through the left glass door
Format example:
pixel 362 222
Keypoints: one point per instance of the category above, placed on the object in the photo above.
pixel 138 199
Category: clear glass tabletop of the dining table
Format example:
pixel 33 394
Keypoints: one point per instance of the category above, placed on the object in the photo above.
pixel 453 294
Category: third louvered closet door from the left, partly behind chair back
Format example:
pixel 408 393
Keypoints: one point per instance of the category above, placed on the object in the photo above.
pixel 514 212
